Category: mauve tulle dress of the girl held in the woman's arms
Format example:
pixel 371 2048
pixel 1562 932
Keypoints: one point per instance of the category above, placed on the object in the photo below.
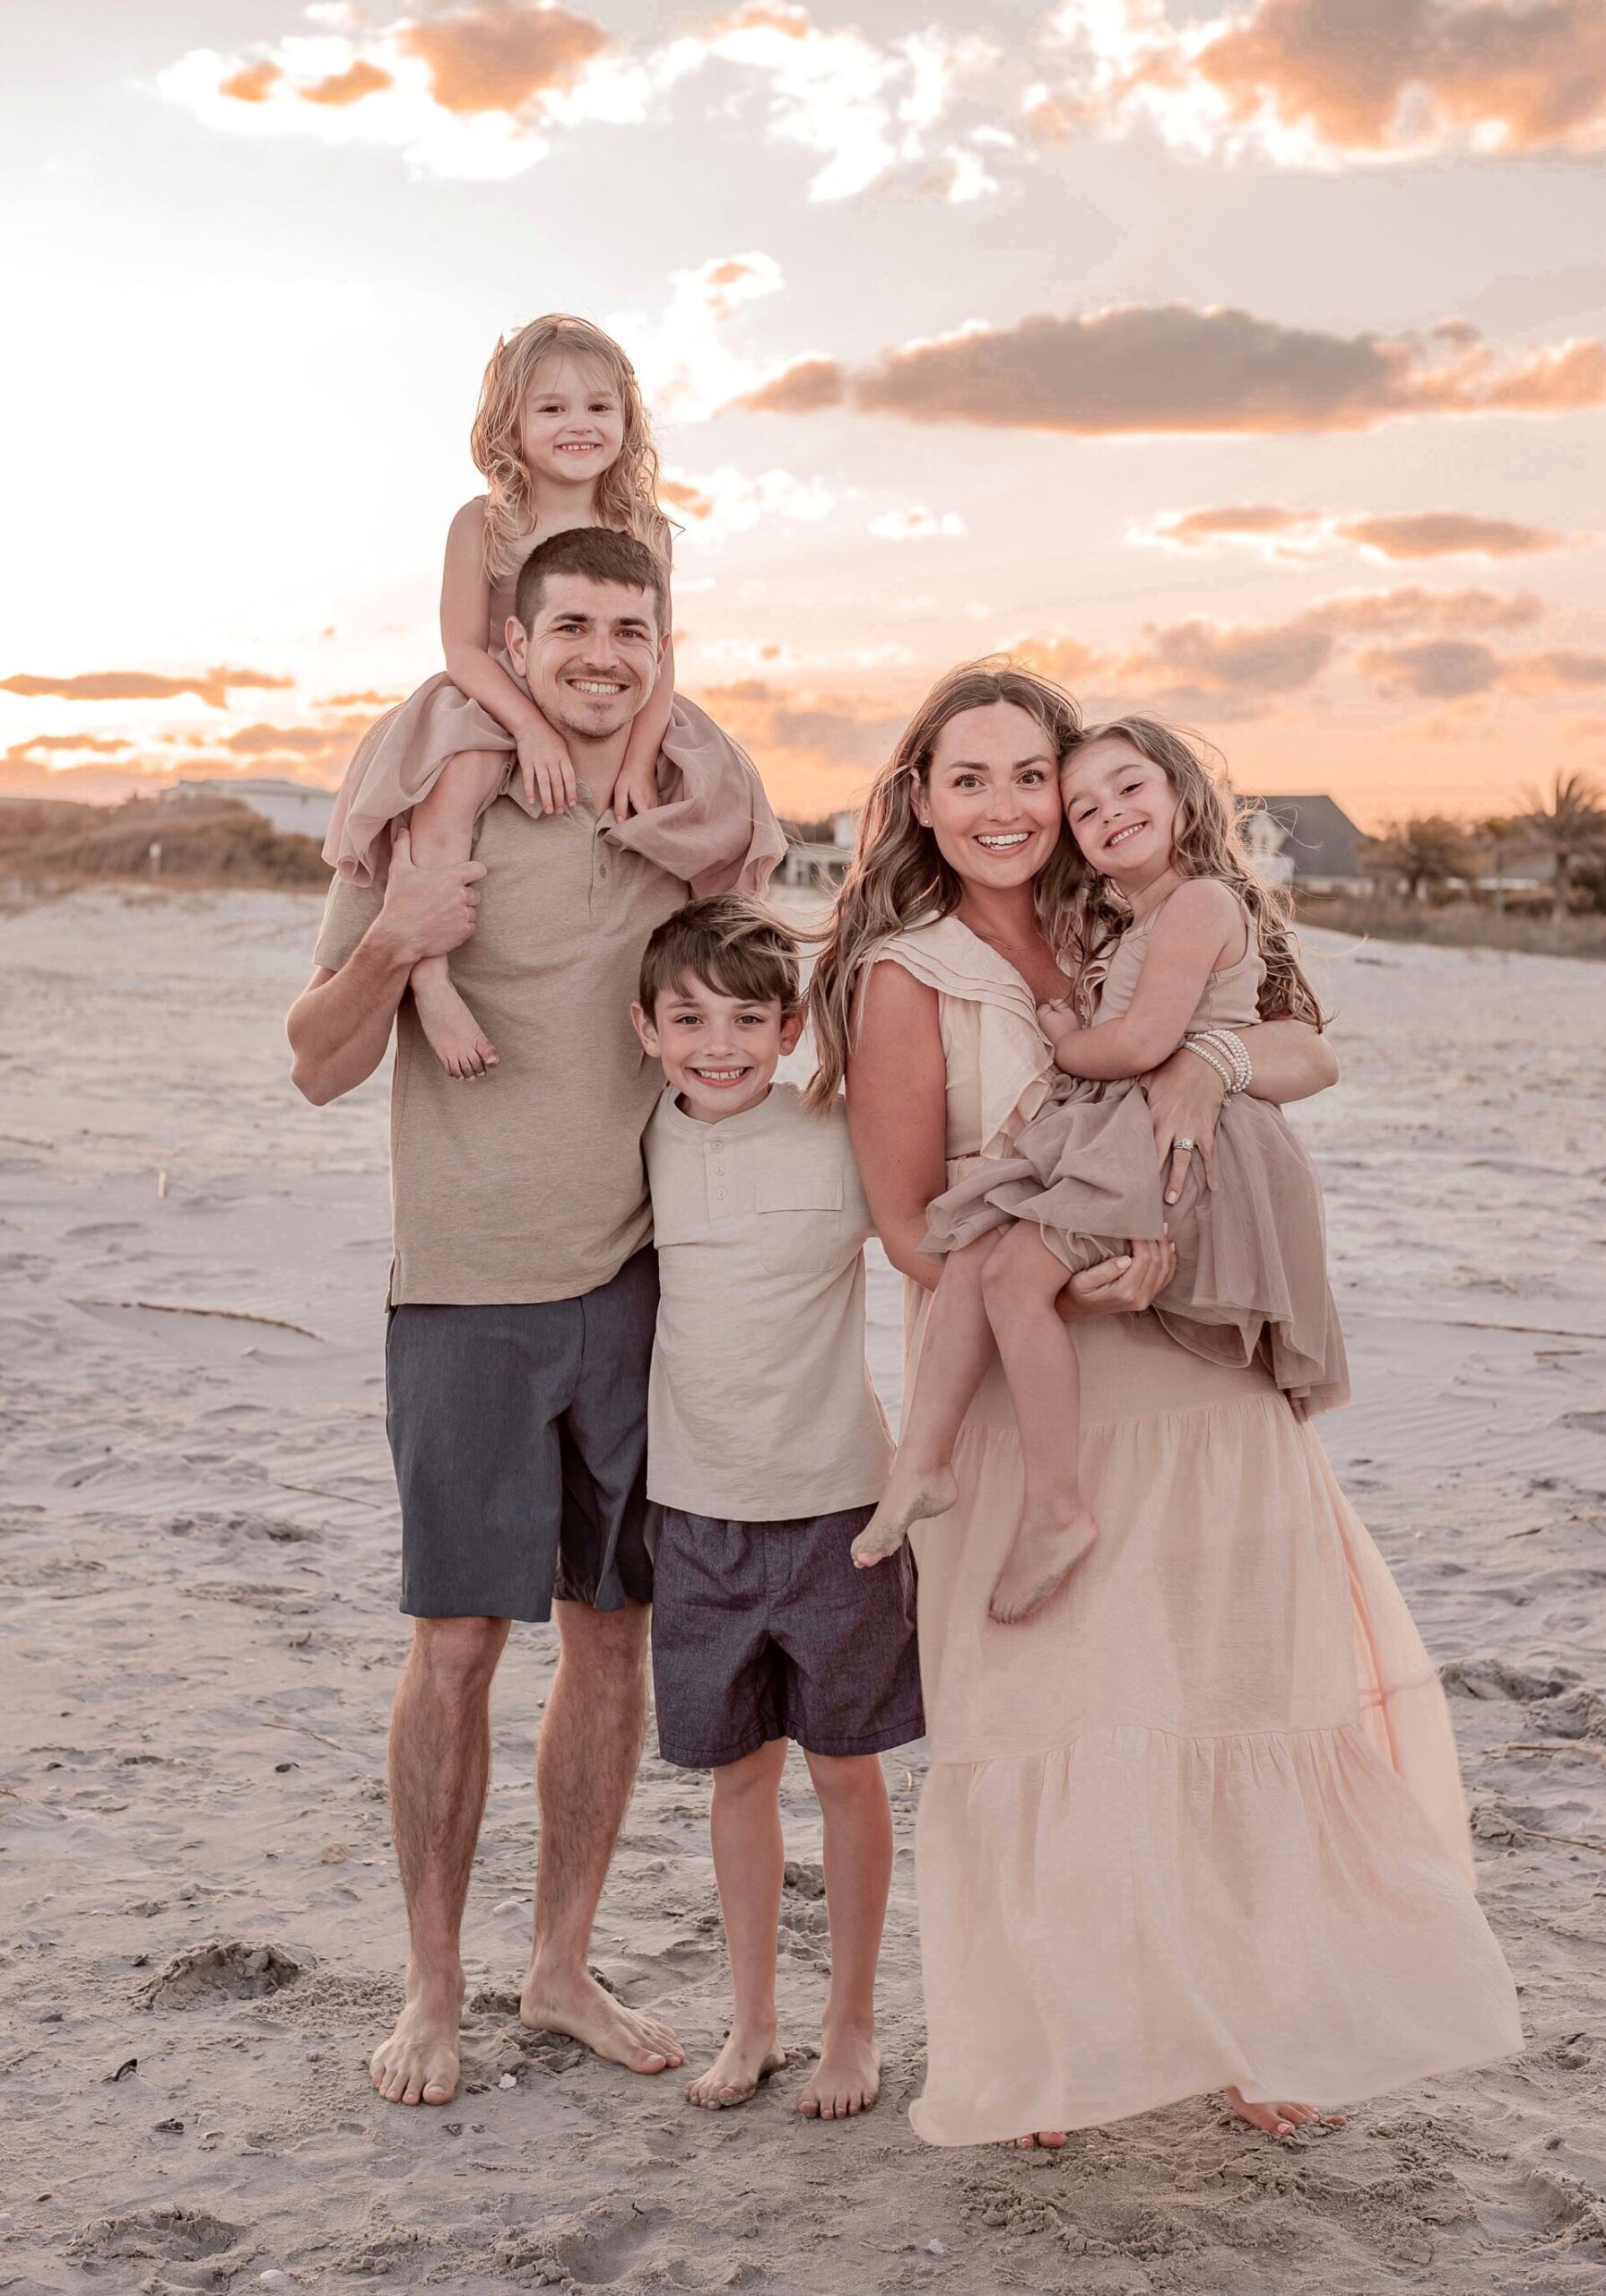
pixel 1252 1252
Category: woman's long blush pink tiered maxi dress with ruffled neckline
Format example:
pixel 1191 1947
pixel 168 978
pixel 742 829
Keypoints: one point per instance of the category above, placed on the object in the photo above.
pixel 1199 1822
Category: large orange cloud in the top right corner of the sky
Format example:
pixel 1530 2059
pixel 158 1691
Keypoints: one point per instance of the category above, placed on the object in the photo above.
pixel 1417 75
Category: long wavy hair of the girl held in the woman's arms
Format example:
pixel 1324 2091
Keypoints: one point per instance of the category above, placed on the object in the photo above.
pixel 1208 841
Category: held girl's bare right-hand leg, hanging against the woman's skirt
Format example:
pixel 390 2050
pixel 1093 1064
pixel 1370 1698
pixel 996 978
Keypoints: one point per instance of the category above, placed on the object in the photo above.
pixel 1020 1287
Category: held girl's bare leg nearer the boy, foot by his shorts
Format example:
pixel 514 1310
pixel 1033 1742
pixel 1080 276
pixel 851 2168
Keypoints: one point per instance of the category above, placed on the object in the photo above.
pixel 956 1353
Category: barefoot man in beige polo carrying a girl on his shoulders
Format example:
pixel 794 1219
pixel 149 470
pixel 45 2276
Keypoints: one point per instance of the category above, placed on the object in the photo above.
pixel 522 1308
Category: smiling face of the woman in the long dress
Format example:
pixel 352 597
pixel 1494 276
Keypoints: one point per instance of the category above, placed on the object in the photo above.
pixel 992 796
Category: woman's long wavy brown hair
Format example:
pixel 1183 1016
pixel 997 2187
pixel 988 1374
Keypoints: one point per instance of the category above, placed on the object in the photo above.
pixel 898 874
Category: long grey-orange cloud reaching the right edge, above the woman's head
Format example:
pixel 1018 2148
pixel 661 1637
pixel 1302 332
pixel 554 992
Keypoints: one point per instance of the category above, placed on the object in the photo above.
pixel 1174 369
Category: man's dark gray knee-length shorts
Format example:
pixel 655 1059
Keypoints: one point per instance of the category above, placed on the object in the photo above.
pixel 520 1438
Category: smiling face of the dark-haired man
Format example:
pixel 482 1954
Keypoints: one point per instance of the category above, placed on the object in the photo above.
pixel 591 656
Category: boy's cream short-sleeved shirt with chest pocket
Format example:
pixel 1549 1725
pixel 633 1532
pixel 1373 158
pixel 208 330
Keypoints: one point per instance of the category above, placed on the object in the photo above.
pixel 761 1402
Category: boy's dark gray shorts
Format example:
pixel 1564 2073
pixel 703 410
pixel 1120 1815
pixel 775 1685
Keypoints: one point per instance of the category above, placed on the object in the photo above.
pixel 767 1631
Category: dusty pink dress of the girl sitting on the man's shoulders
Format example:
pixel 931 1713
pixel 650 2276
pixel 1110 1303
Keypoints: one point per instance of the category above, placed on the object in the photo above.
pixel 715 828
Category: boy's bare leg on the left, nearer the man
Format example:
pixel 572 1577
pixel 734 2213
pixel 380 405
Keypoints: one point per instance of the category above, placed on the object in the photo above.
pixel 749 1865
